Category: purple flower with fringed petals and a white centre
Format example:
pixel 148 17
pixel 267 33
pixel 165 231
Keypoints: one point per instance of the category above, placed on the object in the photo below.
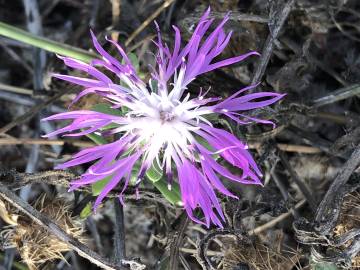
pixel 163 124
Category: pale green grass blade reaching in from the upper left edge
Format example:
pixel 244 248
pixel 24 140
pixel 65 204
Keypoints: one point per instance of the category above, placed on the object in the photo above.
pixel 44 43
